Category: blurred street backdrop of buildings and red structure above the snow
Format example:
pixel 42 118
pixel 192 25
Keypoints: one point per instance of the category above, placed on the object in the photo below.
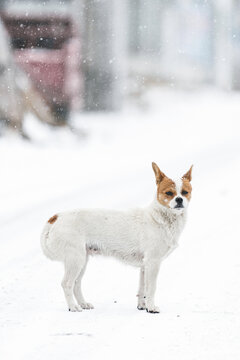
pixel 59 57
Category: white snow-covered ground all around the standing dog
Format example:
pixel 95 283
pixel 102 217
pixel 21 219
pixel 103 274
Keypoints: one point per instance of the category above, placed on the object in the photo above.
pixel 199 284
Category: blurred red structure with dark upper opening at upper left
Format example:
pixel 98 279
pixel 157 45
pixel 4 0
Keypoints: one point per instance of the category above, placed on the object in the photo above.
pixel 47 48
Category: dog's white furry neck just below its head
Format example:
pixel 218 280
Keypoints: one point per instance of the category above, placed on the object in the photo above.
pixel 164 215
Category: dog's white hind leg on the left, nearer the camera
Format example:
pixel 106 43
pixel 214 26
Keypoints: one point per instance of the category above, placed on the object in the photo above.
pixel 73 267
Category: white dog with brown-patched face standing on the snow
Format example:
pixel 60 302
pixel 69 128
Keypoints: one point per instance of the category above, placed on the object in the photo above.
pixel 140 237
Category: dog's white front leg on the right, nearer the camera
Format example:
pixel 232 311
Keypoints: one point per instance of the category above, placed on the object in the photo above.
pixel 151 273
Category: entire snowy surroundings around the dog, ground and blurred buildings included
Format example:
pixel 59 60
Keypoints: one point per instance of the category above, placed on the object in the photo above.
pixel 91 92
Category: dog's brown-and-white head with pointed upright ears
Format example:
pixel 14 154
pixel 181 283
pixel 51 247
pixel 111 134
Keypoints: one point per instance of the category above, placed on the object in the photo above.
pixel 173 195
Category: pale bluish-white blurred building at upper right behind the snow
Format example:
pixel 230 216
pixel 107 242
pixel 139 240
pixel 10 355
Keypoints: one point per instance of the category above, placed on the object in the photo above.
pixel 186 41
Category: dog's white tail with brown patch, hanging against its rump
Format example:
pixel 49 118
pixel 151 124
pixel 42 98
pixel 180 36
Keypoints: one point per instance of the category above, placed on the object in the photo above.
pixel 46 239
